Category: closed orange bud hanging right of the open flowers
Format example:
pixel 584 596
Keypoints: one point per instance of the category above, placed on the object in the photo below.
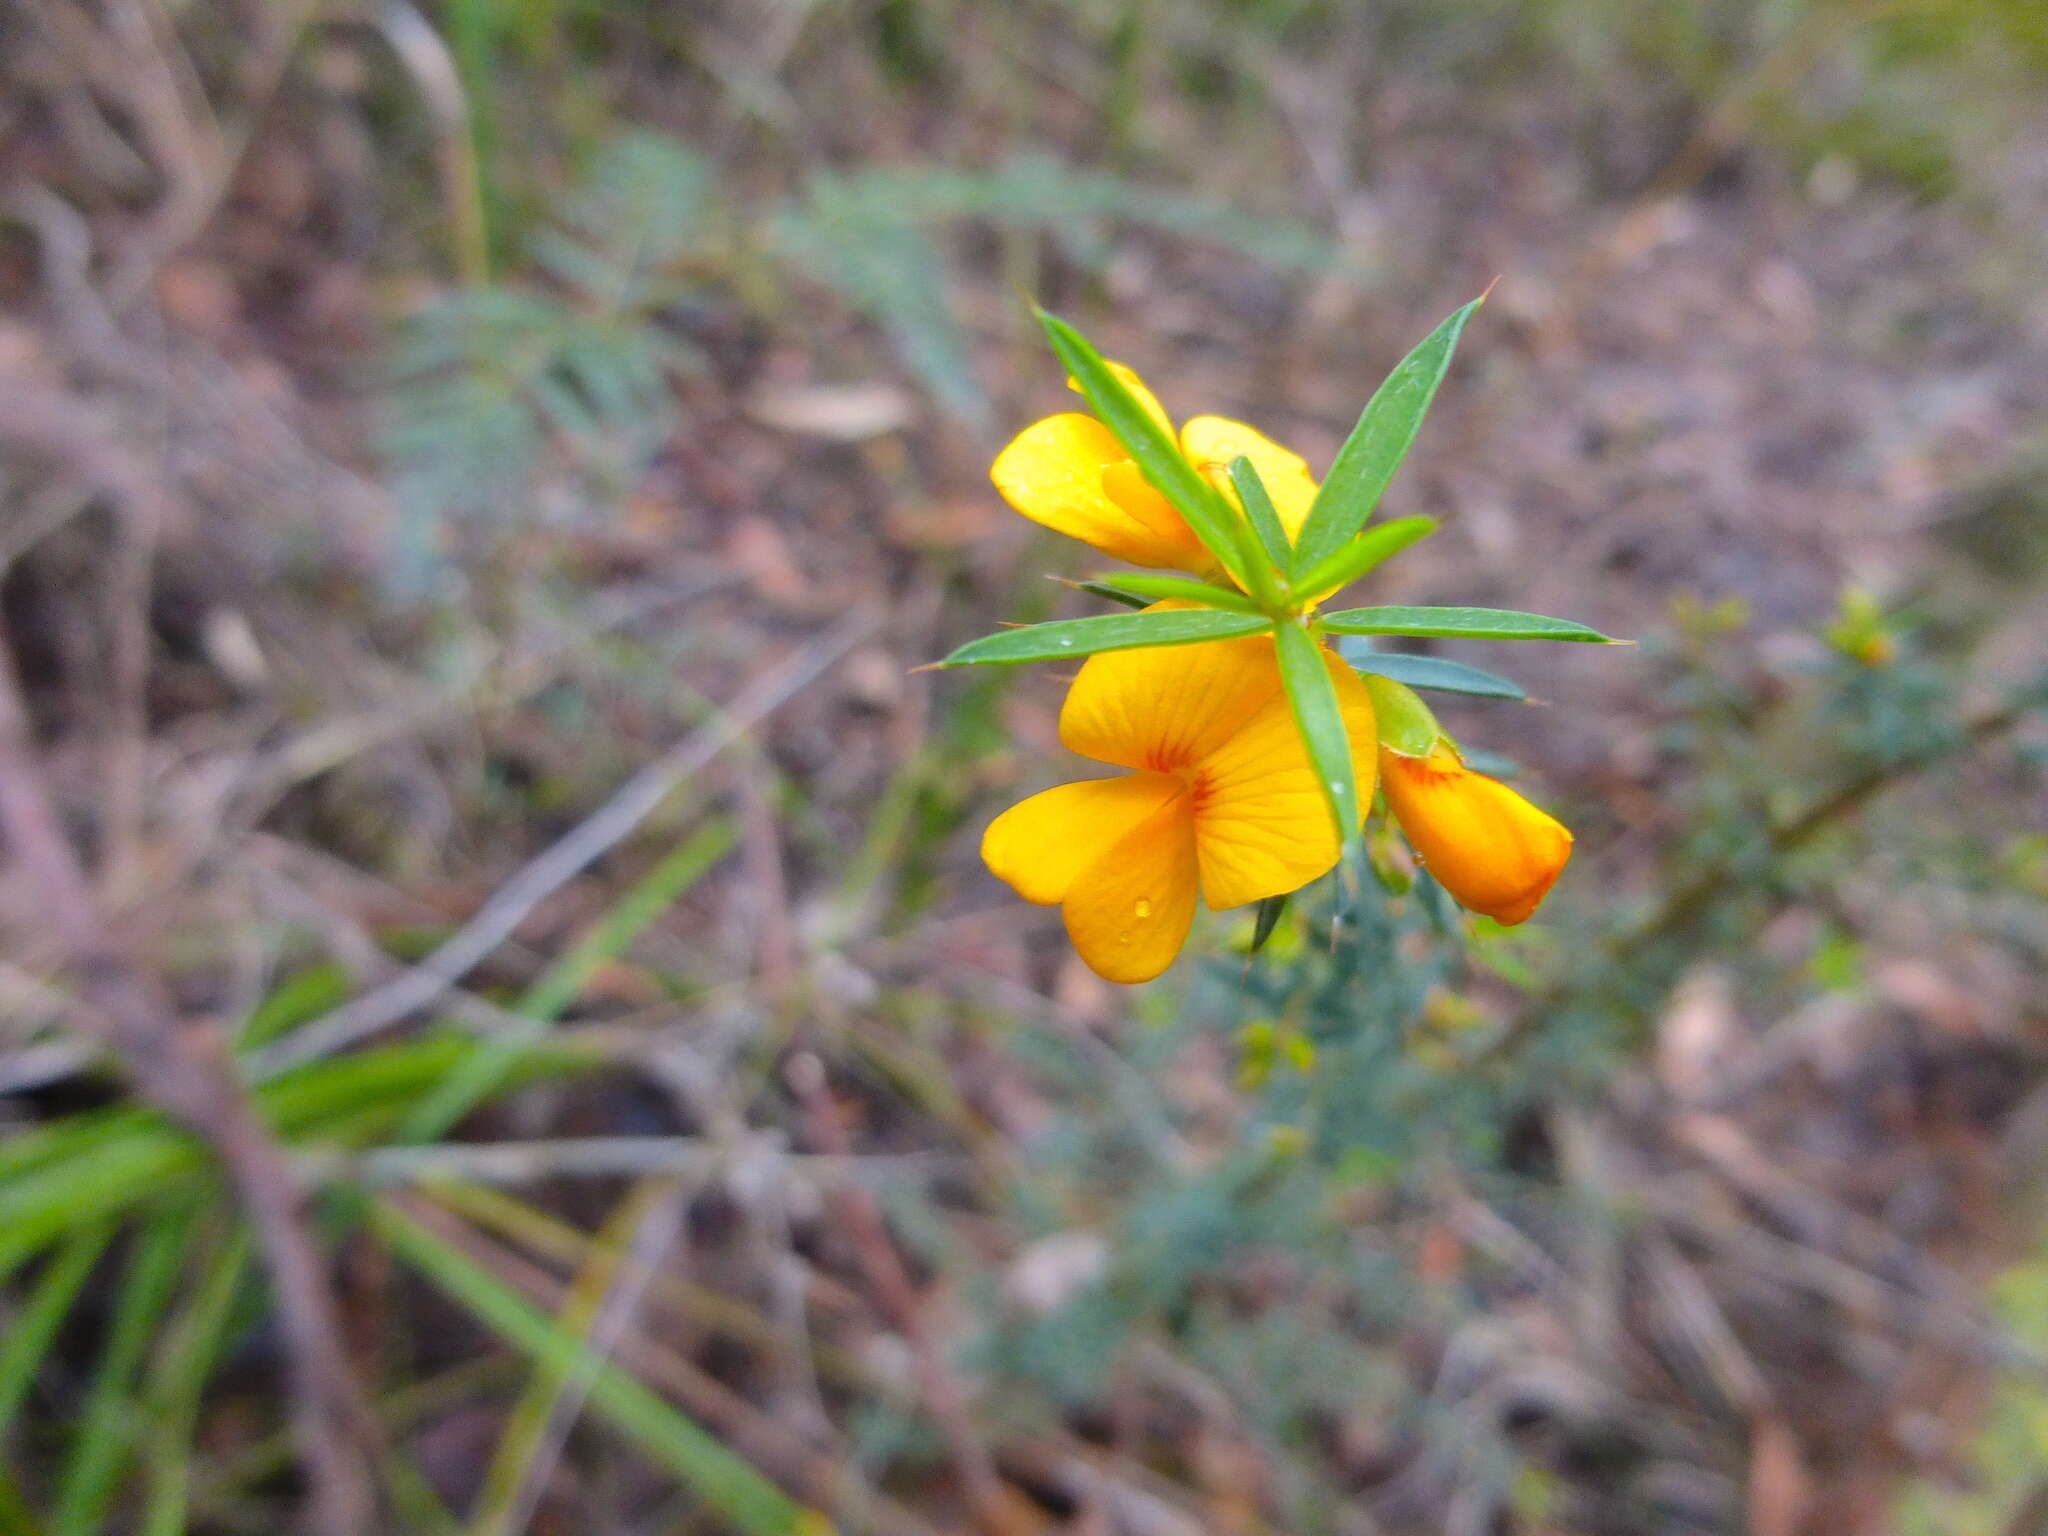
pixel 1484 843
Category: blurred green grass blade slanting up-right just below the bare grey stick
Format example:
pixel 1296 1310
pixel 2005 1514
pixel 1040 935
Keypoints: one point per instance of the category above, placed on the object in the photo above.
pixel 484 1070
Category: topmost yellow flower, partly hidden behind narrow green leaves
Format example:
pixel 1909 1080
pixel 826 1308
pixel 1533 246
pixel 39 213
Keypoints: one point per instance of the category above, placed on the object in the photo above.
pixel 1072 474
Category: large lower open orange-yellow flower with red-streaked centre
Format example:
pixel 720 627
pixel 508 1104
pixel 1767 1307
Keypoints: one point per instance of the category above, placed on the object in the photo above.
pixel 1222 800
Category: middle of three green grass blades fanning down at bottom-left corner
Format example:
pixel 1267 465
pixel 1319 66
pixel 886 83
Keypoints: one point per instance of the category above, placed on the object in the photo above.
pixel 99 1455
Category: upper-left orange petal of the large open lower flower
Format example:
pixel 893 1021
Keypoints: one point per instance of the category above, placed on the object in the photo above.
pixel 1164 708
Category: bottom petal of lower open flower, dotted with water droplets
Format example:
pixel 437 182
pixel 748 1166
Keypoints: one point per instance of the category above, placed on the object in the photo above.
pixel 1129 910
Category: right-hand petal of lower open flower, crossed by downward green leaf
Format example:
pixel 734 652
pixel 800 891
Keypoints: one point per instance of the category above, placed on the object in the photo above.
pixel 1261 820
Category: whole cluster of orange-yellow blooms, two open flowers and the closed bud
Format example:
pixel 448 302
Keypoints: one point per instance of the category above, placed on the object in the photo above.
pixel 1222 800
